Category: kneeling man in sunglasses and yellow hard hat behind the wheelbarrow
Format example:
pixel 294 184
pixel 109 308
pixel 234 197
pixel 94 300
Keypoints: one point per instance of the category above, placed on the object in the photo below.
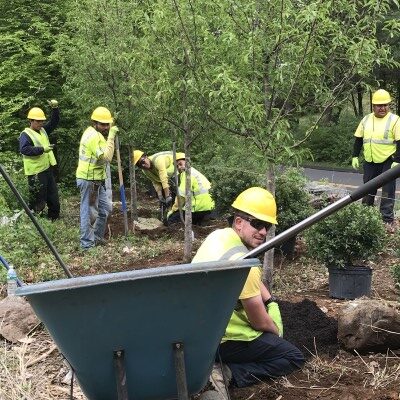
pixel 252 347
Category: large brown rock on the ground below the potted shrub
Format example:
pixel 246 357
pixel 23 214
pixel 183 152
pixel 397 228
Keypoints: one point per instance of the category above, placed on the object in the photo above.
pixel 369 325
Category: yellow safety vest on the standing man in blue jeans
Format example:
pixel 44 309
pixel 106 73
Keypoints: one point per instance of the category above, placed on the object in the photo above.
pixel 91 165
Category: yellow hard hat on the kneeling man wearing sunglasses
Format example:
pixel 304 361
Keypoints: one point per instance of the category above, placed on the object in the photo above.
pixel 258 203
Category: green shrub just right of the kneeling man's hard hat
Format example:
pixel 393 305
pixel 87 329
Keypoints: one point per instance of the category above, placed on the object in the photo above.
pixel 293 202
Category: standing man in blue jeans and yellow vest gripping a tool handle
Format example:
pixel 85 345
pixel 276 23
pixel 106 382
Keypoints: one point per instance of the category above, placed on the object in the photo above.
pixel 94 153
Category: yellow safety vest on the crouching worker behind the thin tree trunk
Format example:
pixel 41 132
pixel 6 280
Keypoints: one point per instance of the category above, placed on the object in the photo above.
pixel 200 186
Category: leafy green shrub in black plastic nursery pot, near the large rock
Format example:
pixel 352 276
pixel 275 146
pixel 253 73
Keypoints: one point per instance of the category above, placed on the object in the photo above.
pixel 344 242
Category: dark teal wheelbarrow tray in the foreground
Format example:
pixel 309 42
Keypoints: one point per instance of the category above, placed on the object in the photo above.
pixel 143 313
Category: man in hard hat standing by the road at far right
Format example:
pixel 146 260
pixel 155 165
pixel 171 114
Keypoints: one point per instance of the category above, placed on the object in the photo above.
pixel 378 134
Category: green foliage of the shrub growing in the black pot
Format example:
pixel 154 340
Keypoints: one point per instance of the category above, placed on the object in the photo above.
pixel 351 235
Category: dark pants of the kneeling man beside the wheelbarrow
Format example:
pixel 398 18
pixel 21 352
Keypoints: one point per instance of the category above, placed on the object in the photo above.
pixel 268 356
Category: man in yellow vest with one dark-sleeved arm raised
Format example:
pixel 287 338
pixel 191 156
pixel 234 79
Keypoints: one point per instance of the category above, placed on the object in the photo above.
pixel 38 159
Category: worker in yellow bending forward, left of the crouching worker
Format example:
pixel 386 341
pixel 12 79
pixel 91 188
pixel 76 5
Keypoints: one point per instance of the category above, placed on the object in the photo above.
pixel 158 168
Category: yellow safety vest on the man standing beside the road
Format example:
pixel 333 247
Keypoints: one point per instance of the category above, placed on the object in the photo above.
pixel 379 136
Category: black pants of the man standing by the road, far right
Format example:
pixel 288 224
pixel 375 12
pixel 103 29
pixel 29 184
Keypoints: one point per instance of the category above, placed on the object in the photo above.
pixel 372 170
